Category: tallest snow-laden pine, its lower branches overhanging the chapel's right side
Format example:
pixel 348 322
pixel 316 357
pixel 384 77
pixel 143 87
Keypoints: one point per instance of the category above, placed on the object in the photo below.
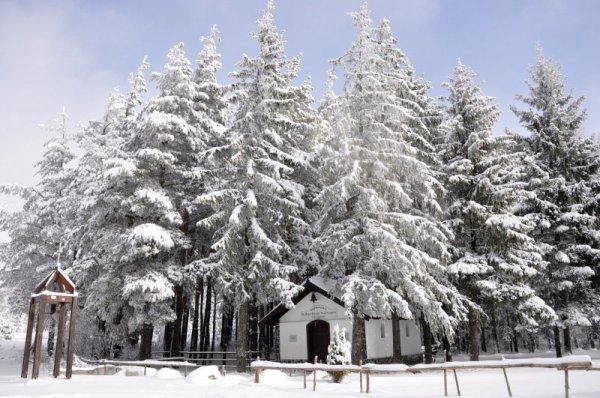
pixel 381 237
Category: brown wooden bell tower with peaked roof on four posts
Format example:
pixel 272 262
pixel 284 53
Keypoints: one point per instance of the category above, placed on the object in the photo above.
pixel 56 289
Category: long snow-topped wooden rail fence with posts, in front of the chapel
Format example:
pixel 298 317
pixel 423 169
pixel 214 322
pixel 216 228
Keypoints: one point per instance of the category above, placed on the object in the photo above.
pixel 573 362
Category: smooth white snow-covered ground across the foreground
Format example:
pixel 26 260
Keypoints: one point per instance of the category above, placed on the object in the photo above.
pixel 538 383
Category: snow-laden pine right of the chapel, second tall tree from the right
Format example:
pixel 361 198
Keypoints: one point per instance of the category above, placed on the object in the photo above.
pixel 486 176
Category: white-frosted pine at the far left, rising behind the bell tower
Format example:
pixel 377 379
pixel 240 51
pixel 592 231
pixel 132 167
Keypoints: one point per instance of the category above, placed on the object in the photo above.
pixel 42 226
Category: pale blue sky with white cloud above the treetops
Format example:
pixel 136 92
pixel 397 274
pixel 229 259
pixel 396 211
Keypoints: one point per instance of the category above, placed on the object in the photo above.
pixel 72 53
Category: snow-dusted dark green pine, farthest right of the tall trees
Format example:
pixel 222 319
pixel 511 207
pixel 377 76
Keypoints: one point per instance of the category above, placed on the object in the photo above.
pixel 566 225
